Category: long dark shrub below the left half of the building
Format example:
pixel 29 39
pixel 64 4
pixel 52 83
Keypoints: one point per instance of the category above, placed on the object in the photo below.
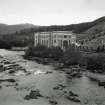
pixel 44 52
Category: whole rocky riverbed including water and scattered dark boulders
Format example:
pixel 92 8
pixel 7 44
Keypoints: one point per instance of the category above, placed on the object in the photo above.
pixel 24 82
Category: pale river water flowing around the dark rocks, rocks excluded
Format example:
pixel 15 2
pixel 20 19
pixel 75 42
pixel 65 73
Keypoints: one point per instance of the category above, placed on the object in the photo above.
pixel 89 92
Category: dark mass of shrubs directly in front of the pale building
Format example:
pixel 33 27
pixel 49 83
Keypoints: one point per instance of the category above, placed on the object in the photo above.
pixel 71 56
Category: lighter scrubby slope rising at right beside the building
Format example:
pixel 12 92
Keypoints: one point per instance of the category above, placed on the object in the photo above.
pixel 95 36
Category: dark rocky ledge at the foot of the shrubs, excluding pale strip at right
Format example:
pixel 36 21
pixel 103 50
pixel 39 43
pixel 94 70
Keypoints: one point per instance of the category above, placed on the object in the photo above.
pixel 71 70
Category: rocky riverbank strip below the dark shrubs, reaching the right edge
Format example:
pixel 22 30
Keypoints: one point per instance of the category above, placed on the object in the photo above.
pixel 72 71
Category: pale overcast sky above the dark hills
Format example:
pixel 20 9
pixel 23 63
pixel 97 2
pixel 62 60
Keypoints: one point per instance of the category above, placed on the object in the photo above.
pixel 50 12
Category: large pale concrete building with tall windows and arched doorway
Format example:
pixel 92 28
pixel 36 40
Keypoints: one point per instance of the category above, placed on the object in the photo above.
pixel 55 38
